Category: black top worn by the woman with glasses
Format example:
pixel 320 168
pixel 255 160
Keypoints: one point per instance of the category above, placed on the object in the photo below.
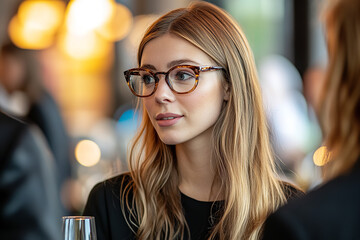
pixel 104 204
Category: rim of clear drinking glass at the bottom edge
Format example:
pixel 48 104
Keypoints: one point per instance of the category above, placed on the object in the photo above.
pixel 79 228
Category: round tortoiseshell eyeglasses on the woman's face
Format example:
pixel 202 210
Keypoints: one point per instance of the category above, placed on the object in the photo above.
pixel 181 79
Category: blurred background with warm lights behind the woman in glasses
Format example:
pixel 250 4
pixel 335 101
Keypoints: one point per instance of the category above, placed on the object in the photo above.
pixel 77 51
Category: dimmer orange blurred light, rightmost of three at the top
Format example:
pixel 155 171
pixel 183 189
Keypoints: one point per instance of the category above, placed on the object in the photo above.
pixel 118 25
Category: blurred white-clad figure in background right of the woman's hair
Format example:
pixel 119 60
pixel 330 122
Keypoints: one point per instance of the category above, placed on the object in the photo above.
pixel 292 130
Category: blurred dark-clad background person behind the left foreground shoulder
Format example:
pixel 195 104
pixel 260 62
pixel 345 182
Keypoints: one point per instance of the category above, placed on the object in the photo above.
pixel 20 75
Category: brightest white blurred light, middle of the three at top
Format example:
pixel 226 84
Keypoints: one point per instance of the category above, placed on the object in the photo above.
pixel 87 15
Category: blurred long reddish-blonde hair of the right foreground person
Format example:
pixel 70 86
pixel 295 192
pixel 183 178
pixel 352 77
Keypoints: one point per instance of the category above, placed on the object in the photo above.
pixel 340 115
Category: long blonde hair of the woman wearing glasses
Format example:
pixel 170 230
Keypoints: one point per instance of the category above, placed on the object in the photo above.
pixel 242 154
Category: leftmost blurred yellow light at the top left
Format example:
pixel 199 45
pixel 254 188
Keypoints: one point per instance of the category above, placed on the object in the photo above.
pixel 35 24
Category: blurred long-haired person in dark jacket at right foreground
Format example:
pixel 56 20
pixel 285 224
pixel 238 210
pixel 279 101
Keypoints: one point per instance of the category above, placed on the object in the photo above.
pixel 332 211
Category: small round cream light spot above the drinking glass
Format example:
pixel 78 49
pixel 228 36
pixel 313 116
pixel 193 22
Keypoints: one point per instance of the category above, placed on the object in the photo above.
pixel 87 153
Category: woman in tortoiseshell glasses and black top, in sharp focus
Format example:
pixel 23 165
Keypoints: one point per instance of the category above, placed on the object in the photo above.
pixel 201 166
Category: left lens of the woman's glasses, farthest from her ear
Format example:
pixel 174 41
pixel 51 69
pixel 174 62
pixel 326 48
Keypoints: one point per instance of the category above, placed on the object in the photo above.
pixel 141 82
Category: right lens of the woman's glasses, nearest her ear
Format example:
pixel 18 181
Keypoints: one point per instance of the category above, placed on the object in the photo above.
pixel 182 79
